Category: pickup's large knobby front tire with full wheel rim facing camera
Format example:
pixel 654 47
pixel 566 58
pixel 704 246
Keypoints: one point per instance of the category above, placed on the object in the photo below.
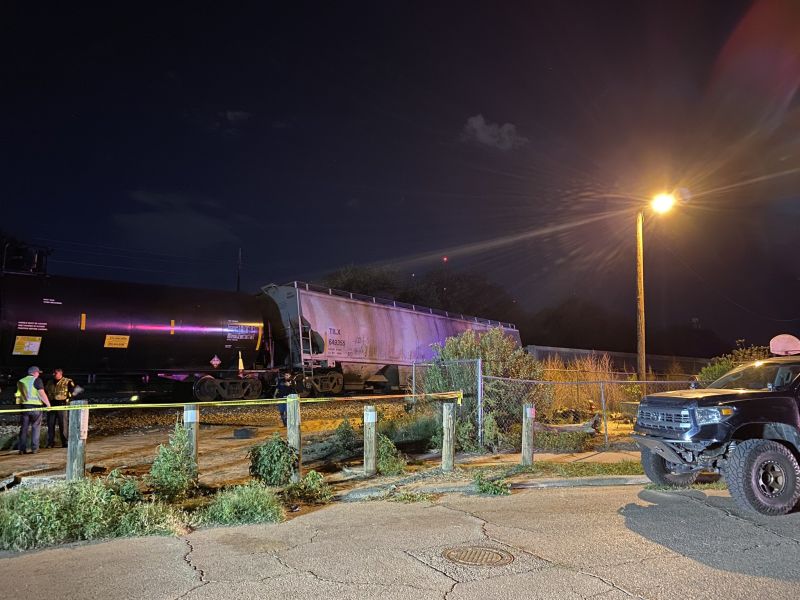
pixel 763 476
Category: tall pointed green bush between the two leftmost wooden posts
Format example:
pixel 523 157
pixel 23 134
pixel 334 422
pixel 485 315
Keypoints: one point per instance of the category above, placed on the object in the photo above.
pixel 173 474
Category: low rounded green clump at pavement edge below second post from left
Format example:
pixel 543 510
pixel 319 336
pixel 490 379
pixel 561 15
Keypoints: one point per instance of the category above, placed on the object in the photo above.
pixel 243 504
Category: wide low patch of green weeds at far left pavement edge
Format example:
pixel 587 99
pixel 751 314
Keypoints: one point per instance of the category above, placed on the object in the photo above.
pixel 81 510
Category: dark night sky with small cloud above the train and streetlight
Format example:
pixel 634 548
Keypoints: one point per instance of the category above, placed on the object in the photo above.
pixel 149 143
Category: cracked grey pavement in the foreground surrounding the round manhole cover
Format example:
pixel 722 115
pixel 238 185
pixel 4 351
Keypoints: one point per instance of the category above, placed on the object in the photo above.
pixel 569 543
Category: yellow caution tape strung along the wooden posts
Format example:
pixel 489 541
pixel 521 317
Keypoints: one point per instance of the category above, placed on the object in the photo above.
pixel 456 395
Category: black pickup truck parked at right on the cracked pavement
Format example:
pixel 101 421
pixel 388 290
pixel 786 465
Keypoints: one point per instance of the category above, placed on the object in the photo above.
pixel 745 426
